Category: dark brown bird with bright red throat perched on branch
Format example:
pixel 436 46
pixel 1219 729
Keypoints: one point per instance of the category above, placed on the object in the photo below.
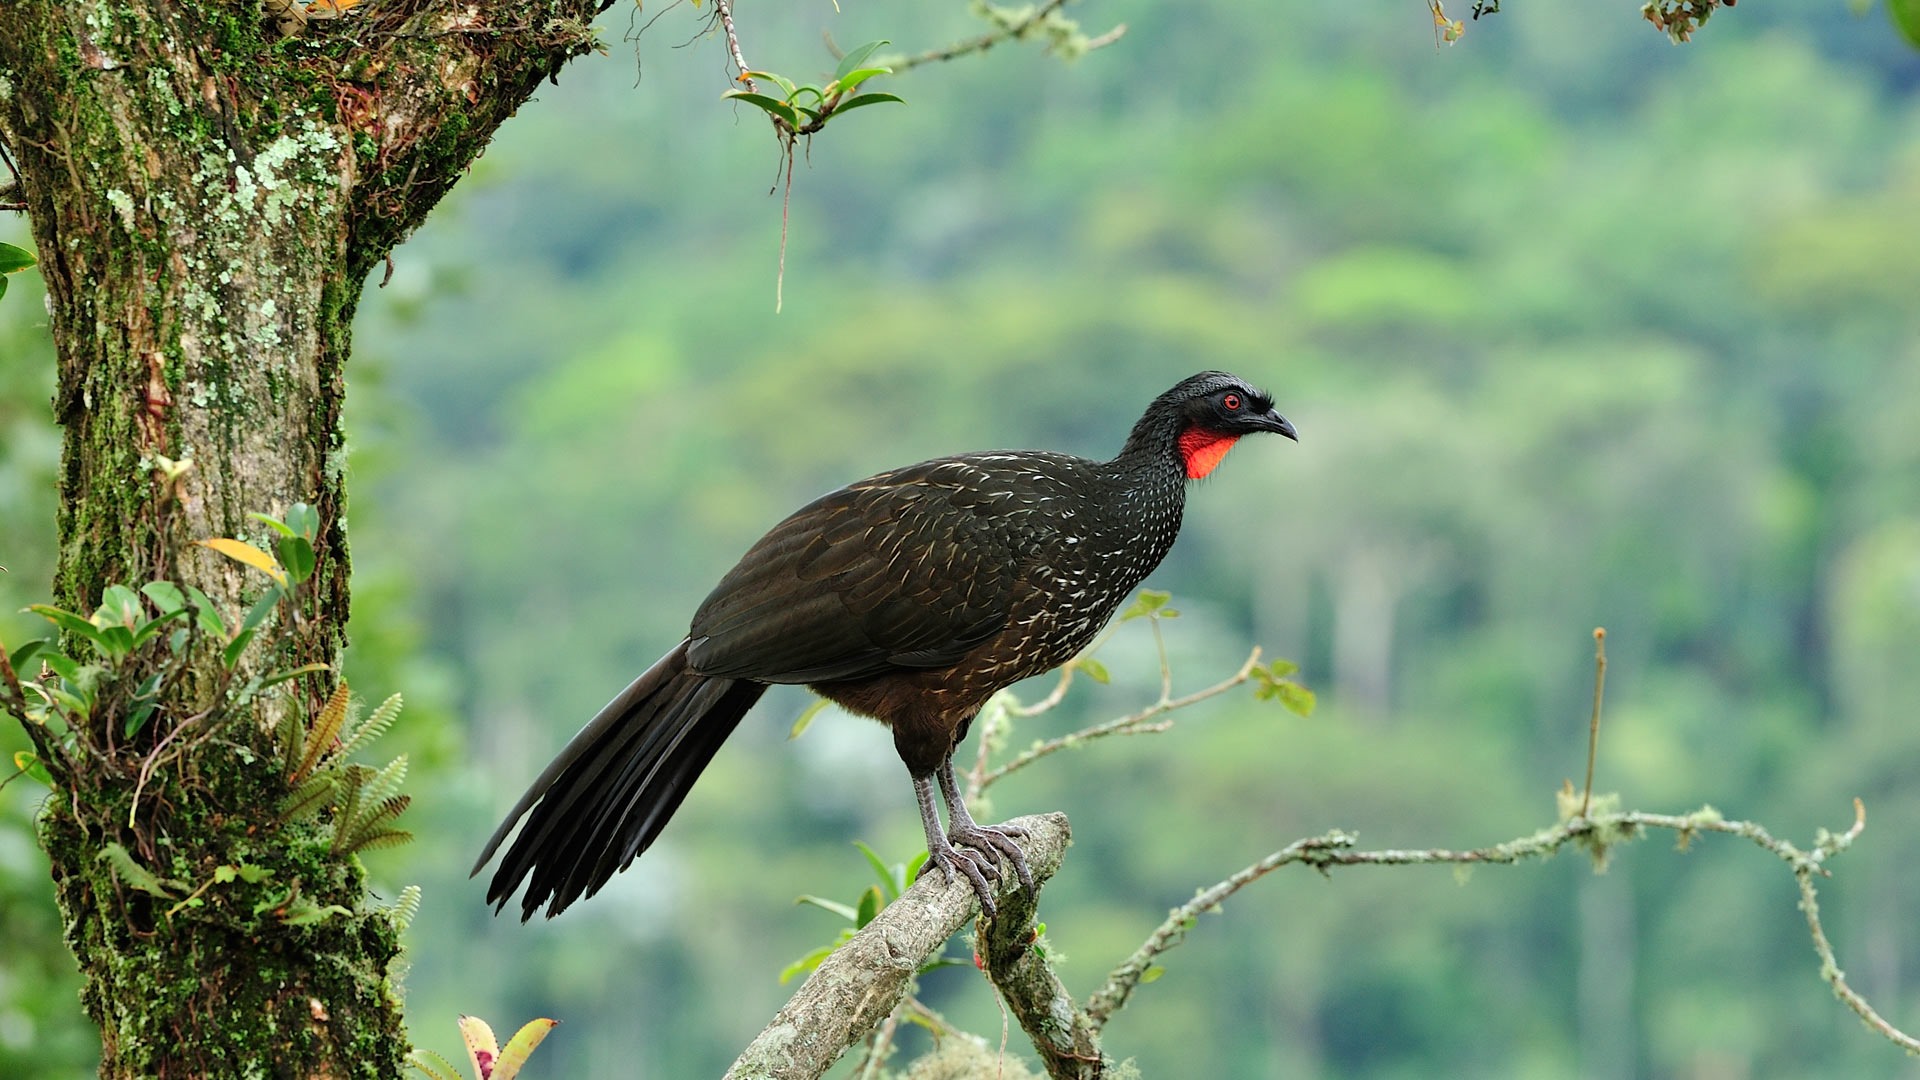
pixel 911 597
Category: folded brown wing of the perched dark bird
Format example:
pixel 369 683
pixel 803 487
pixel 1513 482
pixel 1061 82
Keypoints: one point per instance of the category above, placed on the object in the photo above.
pixel 911 570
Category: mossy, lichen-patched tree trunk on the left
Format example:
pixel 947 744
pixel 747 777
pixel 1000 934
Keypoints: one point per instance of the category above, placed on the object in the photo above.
pixel 210 185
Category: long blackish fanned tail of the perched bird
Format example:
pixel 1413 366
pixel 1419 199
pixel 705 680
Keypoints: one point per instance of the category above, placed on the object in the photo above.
pixel 612 791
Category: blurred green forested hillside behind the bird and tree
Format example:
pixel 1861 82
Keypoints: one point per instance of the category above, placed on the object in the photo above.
pixel 1577 328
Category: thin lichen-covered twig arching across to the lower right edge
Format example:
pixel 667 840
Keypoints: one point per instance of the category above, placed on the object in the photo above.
pixel 1595 835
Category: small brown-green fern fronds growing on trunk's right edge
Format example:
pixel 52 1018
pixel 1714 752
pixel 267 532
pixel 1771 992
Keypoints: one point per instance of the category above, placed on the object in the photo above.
pixel 320 775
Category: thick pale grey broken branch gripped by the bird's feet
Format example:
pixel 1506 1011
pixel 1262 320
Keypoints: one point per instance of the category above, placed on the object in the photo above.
pixel 855 989
